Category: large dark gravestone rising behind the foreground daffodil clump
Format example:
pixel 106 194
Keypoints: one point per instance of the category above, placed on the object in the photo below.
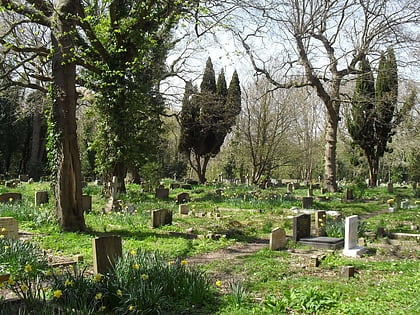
pixel 106 251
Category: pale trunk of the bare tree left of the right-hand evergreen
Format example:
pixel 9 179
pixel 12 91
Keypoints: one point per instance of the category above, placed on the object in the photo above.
pixel 330 151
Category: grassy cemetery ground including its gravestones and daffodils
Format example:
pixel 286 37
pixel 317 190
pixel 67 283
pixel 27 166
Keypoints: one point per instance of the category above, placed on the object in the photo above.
pixel 250 245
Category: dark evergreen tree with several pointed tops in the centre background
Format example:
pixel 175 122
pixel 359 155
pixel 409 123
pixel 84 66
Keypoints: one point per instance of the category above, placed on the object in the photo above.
pixel 207 117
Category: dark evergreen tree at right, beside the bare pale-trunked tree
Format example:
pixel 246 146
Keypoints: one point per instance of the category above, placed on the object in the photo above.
pixel 373 115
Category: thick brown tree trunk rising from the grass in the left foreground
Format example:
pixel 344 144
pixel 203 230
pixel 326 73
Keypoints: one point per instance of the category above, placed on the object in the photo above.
pixel 68 189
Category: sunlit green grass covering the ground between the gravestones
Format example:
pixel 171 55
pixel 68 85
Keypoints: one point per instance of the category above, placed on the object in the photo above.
pixel 262 283
